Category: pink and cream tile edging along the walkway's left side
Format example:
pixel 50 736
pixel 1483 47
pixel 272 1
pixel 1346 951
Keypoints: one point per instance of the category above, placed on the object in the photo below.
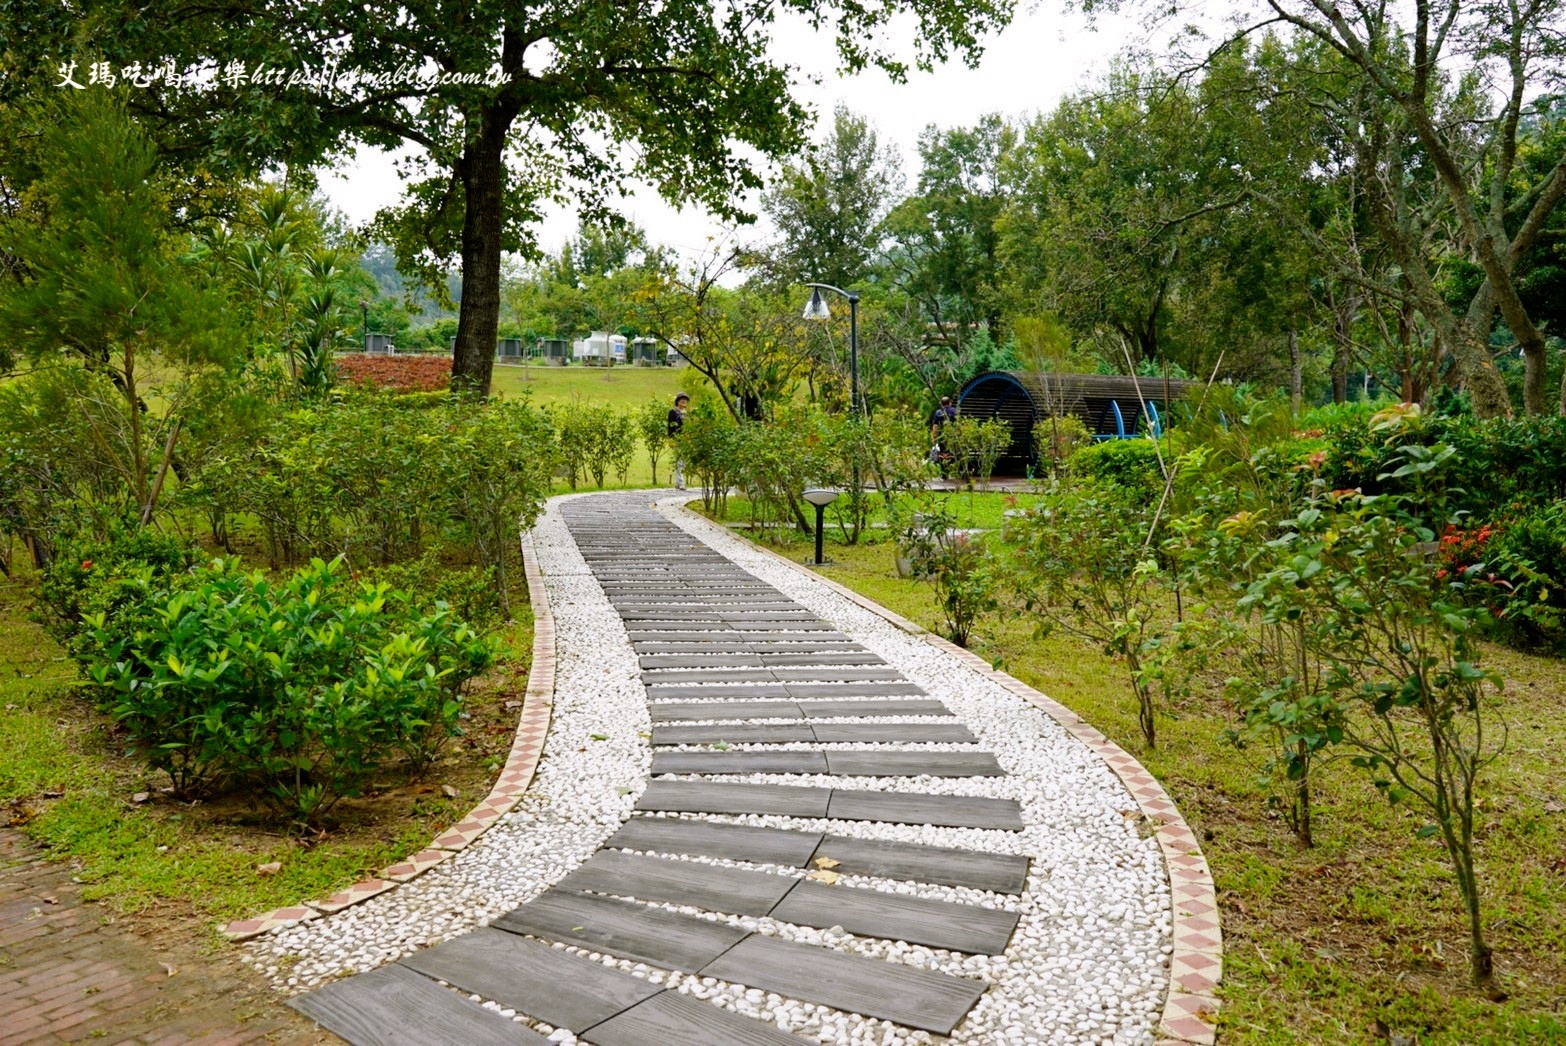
pixel 533 724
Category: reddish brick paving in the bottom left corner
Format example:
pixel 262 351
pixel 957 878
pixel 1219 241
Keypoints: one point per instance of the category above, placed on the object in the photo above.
pixel 73 973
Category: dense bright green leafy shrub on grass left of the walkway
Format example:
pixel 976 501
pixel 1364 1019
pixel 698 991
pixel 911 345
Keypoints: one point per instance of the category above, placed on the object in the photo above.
pixel 303 688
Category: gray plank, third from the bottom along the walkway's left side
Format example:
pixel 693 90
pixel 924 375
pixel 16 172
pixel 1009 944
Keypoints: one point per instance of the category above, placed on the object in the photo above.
pixel 622 928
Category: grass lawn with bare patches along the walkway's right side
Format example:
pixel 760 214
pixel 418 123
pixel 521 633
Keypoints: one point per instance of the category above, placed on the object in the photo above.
pixel 1360 939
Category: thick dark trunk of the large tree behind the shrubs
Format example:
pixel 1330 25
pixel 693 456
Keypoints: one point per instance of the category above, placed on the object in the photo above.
pixel 482 170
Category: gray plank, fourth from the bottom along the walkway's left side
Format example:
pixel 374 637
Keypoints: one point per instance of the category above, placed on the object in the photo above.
pixel 674 882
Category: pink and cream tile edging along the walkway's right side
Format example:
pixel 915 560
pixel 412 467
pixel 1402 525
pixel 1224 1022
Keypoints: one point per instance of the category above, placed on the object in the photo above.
pixel 1197 961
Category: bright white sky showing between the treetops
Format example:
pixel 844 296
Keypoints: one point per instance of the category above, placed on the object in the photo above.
pixel 1044 56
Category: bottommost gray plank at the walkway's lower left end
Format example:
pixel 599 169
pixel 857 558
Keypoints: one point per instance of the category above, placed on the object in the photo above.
pixel 397 1008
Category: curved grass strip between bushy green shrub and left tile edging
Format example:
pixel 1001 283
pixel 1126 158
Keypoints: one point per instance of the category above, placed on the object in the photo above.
pixel 68 784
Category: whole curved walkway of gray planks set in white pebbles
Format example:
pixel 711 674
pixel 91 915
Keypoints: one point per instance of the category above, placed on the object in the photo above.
pixel 850 835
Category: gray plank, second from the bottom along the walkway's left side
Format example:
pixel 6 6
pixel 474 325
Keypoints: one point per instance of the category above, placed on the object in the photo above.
pixel 544 983
